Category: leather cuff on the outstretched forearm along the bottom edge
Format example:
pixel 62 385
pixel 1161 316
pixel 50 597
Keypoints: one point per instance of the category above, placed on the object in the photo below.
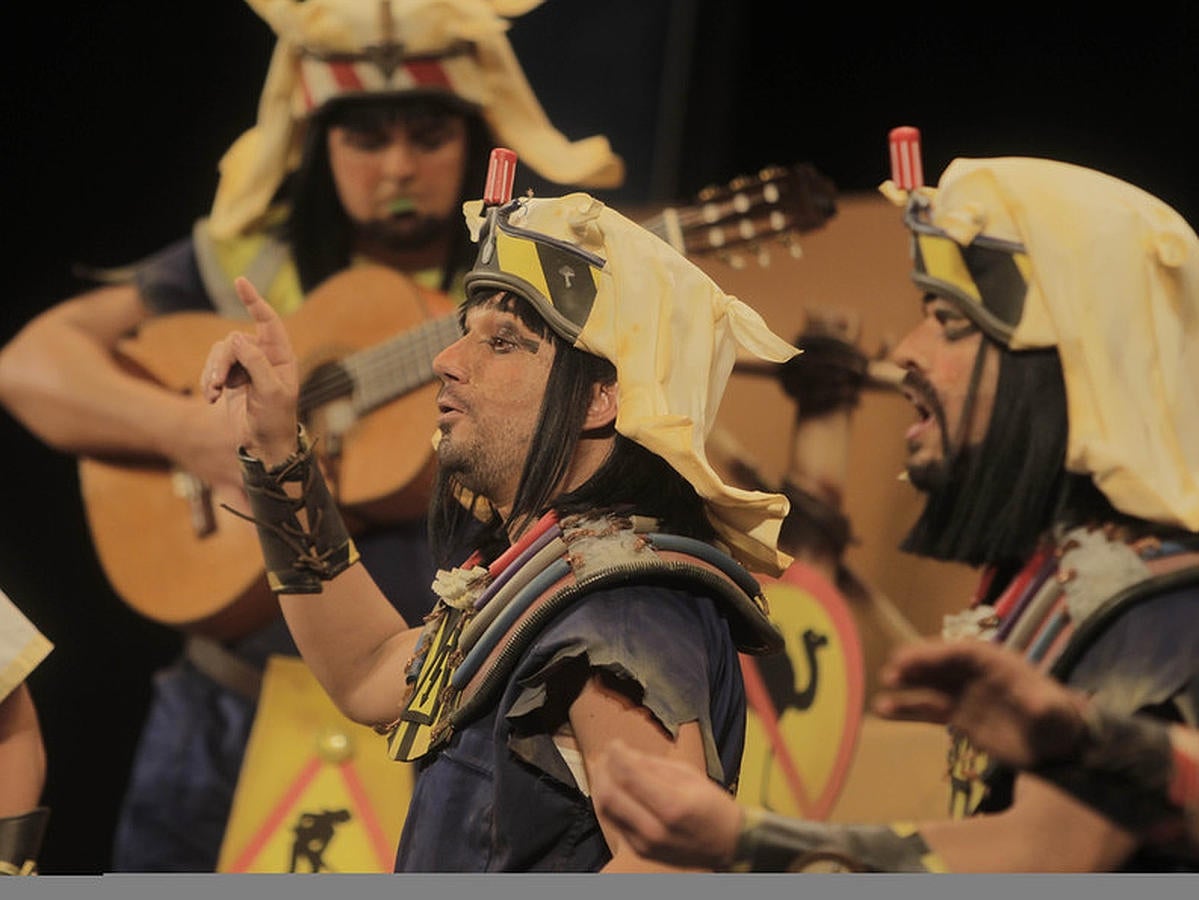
pixel 770 843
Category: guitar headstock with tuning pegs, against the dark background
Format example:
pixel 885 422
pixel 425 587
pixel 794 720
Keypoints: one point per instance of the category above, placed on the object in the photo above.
pixel 744 218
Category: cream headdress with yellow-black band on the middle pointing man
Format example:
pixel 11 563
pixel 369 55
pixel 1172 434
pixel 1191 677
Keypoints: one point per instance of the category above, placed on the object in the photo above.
pixel 617 291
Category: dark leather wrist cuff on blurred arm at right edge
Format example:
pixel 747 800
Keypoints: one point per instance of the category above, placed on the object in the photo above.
pixel 1136 772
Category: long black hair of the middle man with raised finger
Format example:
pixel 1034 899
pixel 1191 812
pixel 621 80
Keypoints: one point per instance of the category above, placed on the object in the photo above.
pixel 632 479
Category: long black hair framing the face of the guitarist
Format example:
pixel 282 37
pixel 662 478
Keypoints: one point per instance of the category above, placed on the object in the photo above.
pixel 318 232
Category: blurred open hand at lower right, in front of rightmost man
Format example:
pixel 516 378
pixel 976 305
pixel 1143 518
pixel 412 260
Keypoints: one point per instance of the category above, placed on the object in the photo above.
pixel 1005 706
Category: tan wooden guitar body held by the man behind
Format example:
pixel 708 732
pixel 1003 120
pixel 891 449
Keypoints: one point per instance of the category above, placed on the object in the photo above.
pixel 180 559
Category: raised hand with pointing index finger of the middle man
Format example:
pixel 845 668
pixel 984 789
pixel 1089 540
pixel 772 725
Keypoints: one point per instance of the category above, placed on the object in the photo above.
pixel 258 378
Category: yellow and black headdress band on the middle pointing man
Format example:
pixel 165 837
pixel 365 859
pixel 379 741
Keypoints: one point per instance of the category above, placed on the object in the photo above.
pixel 558 277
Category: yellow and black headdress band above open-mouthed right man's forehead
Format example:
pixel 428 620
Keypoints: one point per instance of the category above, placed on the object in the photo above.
pixel 989 279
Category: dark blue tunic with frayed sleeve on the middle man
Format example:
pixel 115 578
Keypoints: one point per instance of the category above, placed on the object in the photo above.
pixel 498 796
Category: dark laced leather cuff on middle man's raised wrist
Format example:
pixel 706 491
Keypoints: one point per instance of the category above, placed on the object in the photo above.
pixel 299 553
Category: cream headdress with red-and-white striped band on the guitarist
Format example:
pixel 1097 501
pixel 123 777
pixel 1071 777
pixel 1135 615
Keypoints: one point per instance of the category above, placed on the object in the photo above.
pixel 338 49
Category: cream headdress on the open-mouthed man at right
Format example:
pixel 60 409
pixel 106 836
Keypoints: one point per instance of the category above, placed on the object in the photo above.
pixel 1043 255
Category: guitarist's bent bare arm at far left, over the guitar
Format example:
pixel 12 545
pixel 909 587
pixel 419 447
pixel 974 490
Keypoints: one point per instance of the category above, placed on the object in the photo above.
pixel 62 378
